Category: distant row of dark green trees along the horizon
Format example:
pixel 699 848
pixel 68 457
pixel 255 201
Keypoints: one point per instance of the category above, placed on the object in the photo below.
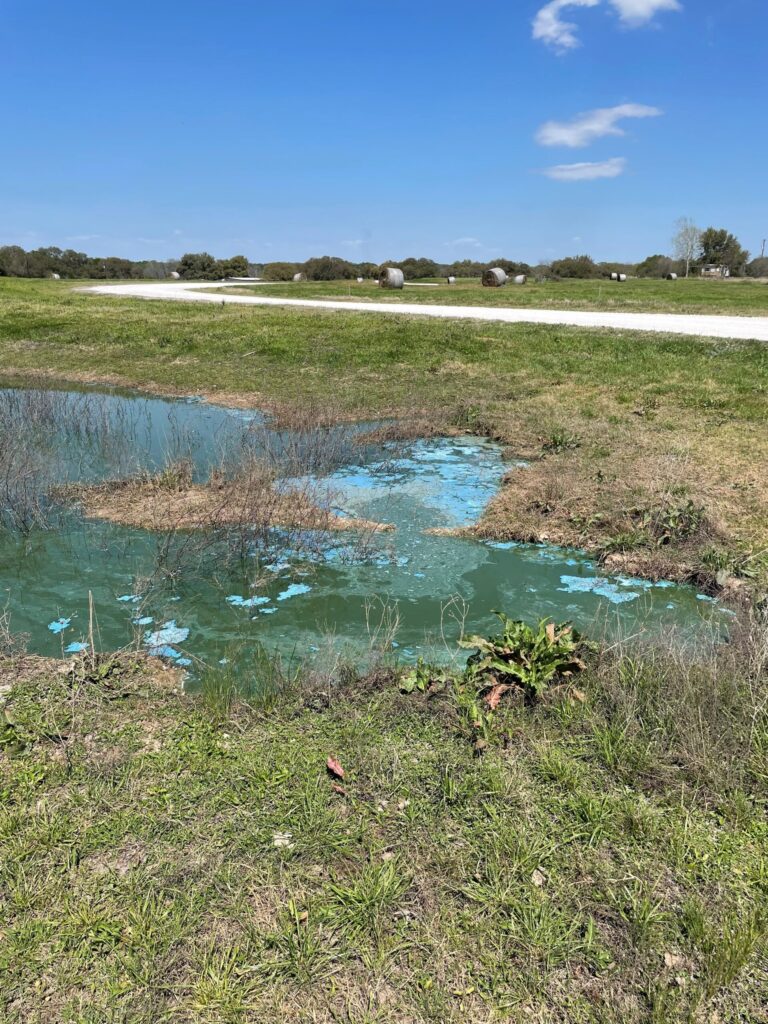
pixel 692 248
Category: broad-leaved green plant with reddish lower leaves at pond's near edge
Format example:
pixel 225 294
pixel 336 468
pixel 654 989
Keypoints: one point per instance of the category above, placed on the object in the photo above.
pixel 526 658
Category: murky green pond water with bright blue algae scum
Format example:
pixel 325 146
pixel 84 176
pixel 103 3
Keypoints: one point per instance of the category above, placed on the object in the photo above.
pixel 196 596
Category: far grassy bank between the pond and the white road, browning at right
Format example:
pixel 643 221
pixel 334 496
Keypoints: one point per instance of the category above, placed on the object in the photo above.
pixel 643 446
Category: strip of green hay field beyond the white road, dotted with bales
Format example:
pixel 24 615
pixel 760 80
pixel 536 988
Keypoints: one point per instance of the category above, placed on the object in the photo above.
pixel 736 297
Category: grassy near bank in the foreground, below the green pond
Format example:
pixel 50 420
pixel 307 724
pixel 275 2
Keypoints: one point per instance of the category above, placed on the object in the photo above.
pixel 601 858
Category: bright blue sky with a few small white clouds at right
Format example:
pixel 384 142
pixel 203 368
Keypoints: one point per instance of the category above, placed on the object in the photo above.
pixel 380 132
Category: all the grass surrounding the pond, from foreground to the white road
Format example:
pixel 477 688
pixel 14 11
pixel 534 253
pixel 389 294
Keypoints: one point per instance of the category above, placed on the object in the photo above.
pixel 595 858
